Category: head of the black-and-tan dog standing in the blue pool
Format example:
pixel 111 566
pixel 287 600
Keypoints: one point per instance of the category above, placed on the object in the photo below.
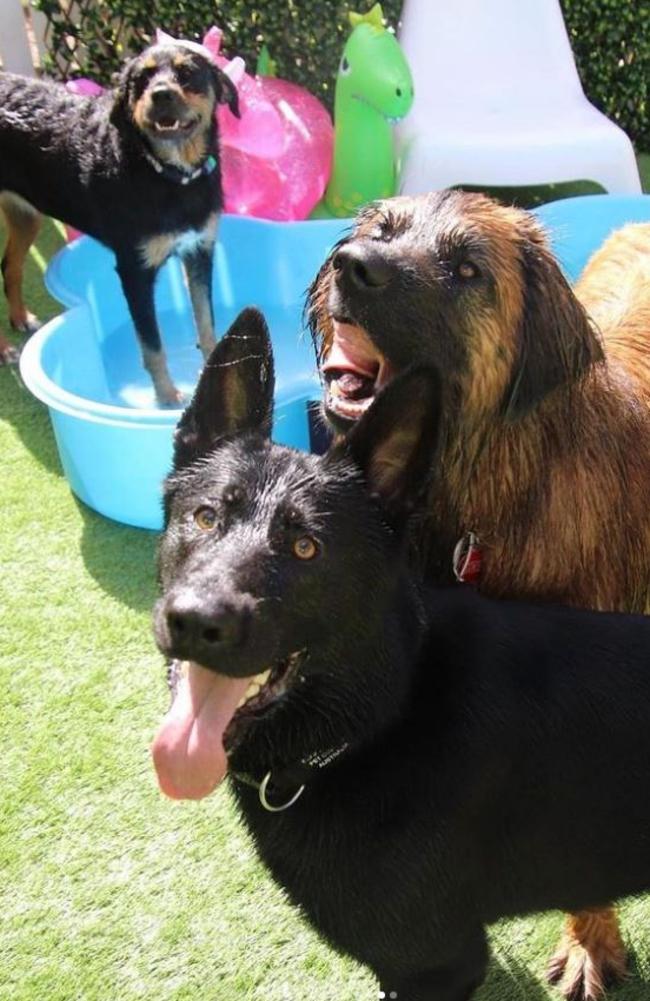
pixel 170 94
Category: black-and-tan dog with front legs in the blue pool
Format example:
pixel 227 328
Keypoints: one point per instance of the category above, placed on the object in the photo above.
pixel 139 170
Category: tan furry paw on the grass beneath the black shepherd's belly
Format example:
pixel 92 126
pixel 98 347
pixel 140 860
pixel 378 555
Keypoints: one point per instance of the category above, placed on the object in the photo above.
pixel 590 956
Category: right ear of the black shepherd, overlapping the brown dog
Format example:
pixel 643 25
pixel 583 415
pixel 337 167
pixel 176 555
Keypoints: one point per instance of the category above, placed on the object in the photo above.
pixel 396 441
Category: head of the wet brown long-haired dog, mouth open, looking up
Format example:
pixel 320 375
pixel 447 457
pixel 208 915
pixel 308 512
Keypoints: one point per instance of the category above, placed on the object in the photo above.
pixel 455 281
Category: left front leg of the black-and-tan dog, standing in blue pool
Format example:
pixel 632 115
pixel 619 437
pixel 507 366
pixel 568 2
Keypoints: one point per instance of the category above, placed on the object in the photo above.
pixel 138 284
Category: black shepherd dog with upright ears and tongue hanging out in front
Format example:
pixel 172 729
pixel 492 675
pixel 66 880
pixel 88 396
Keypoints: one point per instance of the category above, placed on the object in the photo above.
pixel 413 763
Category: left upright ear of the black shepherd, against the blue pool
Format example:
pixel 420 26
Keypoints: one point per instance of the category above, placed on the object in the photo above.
pixel 235 392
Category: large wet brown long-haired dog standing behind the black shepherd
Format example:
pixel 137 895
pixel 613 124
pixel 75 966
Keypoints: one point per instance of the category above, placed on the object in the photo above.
pixel 546 427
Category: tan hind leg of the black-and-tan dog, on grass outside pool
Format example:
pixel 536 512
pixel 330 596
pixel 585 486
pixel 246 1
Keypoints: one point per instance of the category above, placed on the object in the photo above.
pixel 24 224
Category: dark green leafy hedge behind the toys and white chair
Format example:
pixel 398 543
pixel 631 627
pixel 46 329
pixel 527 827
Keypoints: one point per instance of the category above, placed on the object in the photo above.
pixel 610 39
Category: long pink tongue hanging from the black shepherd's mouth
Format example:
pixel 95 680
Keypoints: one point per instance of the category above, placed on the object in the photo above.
pixel 189 751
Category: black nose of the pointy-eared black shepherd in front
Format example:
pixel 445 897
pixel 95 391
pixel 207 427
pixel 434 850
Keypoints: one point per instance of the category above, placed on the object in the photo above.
pixel 194 628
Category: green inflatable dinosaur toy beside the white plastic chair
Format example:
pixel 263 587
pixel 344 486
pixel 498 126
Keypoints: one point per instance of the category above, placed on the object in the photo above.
pixel 374 92
